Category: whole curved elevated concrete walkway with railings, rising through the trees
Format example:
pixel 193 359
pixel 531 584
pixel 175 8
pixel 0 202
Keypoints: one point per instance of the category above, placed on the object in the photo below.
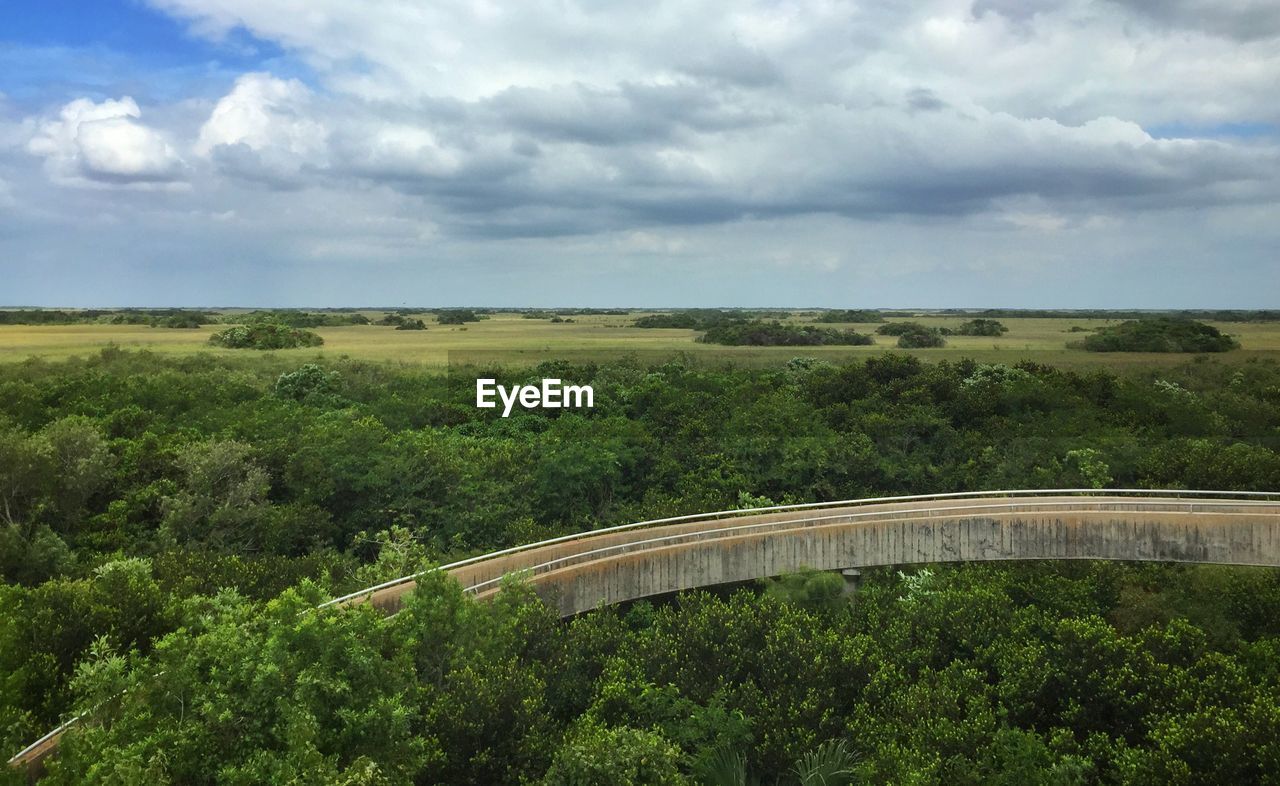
pixel 582 572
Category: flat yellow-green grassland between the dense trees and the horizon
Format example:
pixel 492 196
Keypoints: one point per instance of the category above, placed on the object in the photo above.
pixel 510 339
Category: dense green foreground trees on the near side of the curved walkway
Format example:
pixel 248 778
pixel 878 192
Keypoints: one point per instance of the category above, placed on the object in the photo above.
pixel 1039 674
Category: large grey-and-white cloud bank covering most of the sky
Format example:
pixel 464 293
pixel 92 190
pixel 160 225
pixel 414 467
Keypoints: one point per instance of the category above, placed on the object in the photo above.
pixel 564 116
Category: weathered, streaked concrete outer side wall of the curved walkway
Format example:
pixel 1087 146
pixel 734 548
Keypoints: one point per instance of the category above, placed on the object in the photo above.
pixel 1117 532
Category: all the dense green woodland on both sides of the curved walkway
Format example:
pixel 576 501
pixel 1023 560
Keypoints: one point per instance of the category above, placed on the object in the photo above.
pixel 154 510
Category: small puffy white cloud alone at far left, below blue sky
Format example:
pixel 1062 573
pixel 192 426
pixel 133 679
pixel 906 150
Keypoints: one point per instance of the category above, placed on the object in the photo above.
pixel 106 144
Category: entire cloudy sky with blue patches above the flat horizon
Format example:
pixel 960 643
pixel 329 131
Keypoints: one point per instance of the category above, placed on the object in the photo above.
pixel 1059 154
